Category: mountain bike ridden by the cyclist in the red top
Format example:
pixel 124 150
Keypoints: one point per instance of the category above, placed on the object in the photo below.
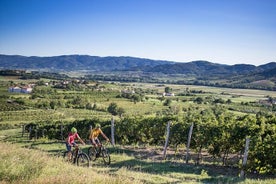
pixel 78 157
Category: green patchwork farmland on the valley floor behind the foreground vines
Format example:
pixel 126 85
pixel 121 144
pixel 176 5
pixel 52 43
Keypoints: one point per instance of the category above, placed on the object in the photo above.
pixel 150 102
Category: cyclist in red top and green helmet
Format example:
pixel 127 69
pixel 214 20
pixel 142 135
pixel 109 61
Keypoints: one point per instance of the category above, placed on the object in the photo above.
pixel 70 141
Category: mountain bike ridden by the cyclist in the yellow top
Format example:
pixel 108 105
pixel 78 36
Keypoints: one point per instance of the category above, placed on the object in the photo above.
pixel 95 153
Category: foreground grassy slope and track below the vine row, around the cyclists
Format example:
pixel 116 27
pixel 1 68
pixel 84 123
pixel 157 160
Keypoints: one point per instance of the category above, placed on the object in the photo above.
pixel 25 161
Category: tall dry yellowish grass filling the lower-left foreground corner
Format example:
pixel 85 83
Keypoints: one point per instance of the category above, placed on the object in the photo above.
pixel 20 165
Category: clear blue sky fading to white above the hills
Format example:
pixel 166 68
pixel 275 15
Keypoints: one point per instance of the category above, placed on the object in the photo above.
pixel 219 31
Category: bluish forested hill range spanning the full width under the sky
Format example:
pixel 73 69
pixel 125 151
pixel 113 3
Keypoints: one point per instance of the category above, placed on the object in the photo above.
pixel 108 64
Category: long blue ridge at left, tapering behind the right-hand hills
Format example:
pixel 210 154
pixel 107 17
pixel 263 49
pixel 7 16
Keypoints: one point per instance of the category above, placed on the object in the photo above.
pixel 77 62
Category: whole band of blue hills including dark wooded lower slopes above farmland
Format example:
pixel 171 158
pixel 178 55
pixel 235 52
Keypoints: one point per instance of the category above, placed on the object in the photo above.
pixel 140 69
